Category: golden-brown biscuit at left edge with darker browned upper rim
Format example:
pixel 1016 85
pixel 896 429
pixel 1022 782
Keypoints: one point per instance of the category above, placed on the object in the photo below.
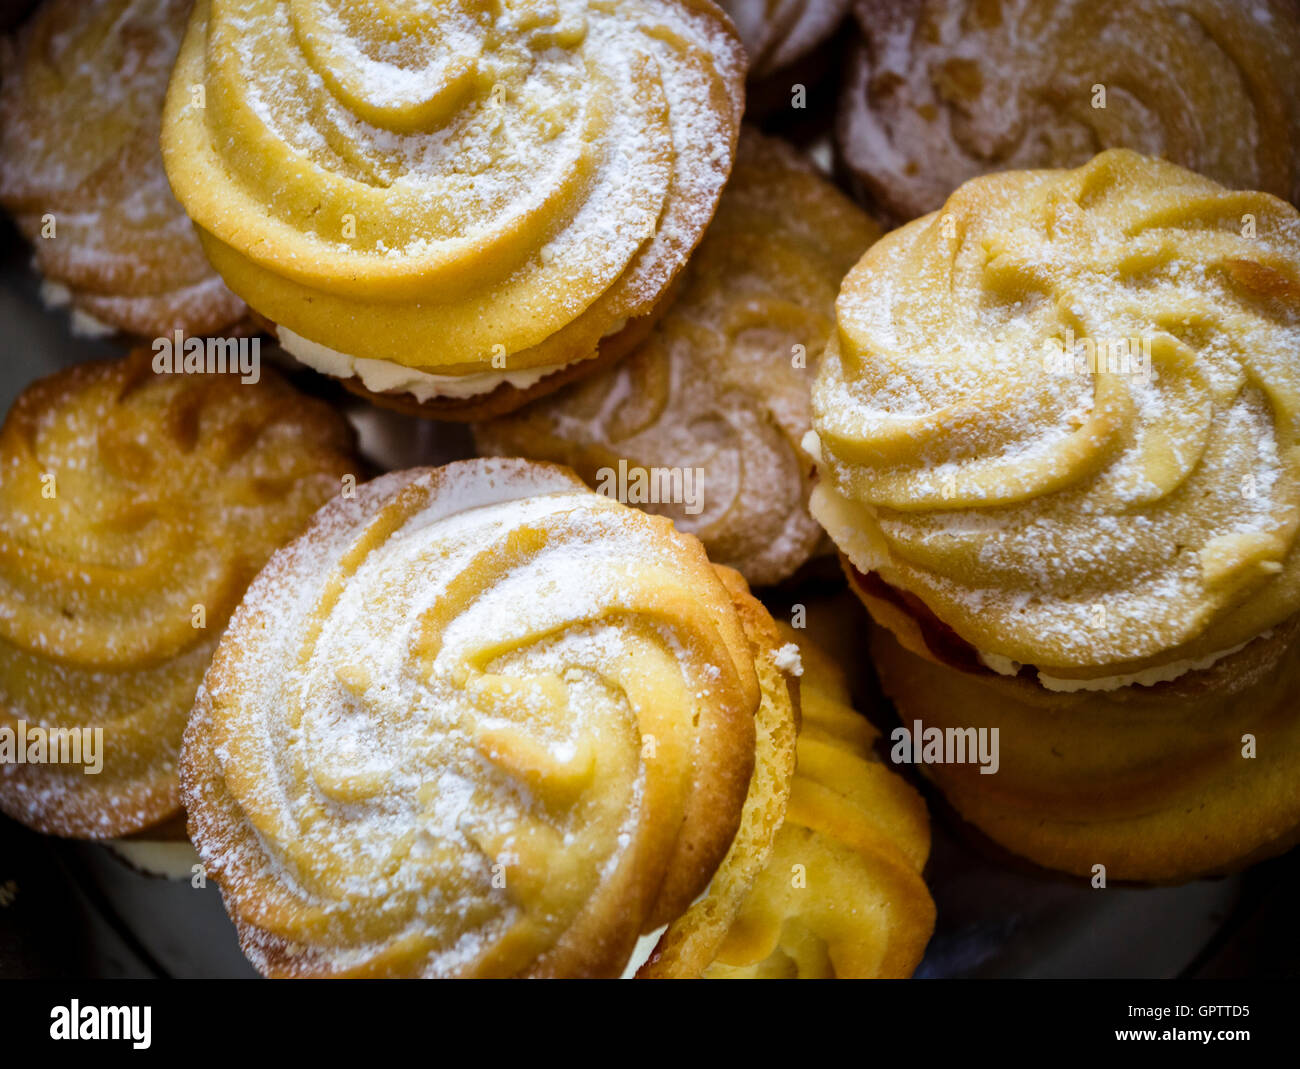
pixel 135 509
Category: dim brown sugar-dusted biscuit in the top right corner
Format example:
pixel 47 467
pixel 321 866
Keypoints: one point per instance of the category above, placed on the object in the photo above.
pixel 941 92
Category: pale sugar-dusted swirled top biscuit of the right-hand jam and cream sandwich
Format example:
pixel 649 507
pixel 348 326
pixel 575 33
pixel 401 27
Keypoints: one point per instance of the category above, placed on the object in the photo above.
pixel 1064 413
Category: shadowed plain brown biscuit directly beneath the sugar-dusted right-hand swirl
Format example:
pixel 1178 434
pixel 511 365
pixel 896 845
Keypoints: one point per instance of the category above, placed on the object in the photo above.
pixel 1155 784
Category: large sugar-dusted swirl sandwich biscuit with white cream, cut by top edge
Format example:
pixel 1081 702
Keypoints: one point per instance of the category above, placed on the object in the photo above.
pixel 450 209
